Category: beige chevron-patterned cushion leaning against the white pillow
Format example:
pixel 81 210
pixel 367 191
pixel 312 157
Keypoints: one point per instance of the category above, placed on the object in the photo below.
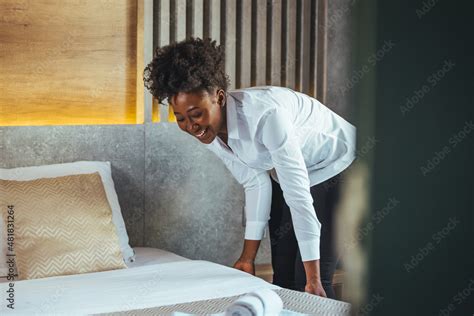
pixel 62 226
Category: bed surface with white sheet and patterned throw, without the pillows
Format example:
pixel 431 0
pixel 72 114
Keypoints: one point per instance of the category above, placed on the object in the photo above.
pixel 157 282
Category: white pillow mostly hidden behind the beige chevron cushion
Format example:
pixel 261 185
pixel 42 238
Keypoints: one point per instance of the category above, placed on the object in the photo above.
pixel 65 169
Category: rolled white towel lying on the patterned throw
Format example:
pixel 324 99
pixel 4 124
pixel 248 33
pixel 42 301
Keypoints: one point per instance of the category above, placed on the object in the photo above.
pixel 264 302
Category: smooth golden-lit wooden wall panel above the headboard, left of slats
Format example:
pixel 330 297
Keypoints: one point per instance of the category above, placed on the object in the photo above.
pixel 68 62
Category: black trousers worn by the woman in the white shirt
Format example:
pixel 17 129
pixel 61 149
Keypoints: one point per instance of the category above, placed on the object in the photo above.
pixel 288 268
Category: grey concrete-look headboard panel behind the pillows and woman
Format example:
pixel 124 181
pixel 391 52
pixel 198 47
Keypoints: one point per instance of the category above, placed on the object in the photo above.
pixel 174 193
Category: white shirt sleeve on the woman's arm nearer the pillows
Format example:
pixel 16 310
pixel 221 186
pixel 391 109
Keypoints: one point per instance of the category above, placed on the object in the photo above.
pixel 258 196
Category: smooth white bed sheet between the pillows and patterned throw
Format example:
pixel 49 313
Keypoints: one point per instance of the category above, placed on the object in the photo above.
pixel 156 278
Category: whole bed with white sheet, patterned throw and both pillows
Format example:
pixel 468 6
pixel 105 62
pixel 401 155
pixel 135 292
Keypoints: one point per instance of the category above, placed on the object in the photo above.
pixel 73 256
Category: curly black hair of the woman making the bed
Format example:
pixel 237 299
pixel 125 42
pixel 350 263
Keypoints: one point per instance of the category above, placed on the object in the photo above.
pixel 191 65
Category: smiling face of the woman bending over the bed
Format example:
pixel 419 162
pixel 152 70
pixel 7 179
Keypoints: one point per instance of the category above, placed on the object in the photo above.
pixel 201 114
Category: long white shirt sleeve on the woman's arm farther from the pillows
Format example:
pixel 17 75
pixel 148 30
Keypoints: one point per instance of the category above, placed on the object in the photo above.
pixel 278 136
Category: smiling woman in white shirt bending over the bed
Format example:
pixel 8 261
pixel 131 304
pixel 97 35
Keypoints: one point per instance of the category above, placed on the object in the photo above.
pixel 272 139
